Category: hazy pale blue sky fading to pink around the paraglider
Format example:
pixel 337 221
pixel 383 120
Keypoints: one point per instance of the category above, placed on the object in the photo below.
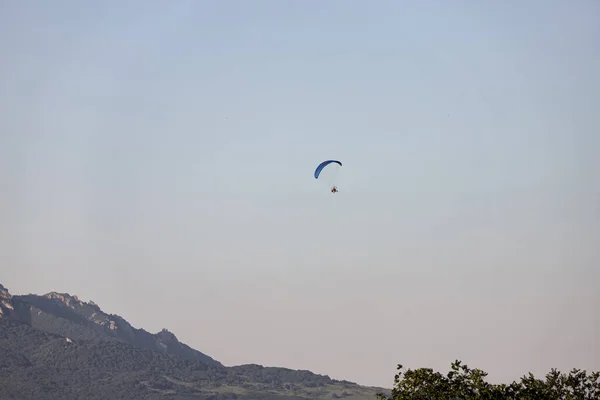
pixel 157 158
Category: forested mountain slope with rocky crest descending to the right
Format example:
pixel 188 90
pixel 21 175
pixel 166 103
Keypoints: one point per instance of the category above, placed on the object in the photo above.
pixel 57 346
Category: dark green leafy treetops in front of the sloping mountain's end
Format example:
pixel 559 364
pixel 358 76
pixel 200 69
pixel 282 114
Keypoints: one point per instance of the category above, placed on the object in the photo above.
pixel 462 382
